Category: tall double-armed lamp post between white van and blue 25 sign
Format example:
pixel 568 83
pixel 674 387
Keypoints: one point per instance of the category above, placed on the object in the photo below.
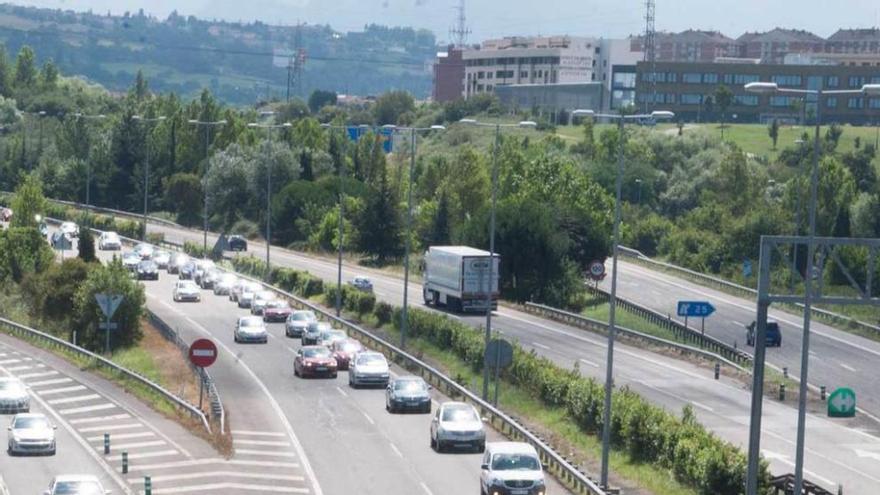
pixel 612 300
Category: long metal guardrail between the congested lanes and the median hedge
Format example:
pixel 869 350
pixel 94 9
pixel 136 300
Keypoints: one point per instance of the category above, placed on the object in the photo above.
pixel 555 463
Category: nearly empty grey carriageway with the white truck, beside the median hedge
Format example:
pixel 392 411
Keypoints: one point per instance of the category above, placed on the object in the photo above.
pixel 722 406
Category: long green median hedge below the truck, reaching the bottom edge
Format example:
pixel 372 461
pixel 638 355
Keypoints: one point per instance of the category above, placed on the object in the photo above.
pixel 646 432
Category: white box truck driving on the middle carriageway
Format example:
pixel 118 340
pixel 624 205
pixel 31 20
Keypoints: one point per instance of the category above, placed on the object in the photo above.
pixel 458 278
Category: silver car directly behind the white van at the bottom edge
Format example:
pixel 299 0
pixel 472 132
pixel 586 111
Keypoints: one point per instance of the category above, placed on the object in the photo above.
pixel 457 424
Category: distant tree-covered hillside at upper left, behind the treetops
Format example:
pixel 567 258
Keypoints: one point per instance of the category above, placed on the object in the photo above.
pixel 240 63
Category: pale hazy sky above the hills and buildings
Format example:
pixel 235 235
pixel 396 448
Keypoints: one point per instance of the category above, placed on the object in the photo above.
pixel 490 18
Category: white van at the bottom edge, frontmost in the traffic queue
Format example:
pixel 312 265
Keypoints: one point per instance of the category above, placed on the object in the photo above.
pixel 511 468
